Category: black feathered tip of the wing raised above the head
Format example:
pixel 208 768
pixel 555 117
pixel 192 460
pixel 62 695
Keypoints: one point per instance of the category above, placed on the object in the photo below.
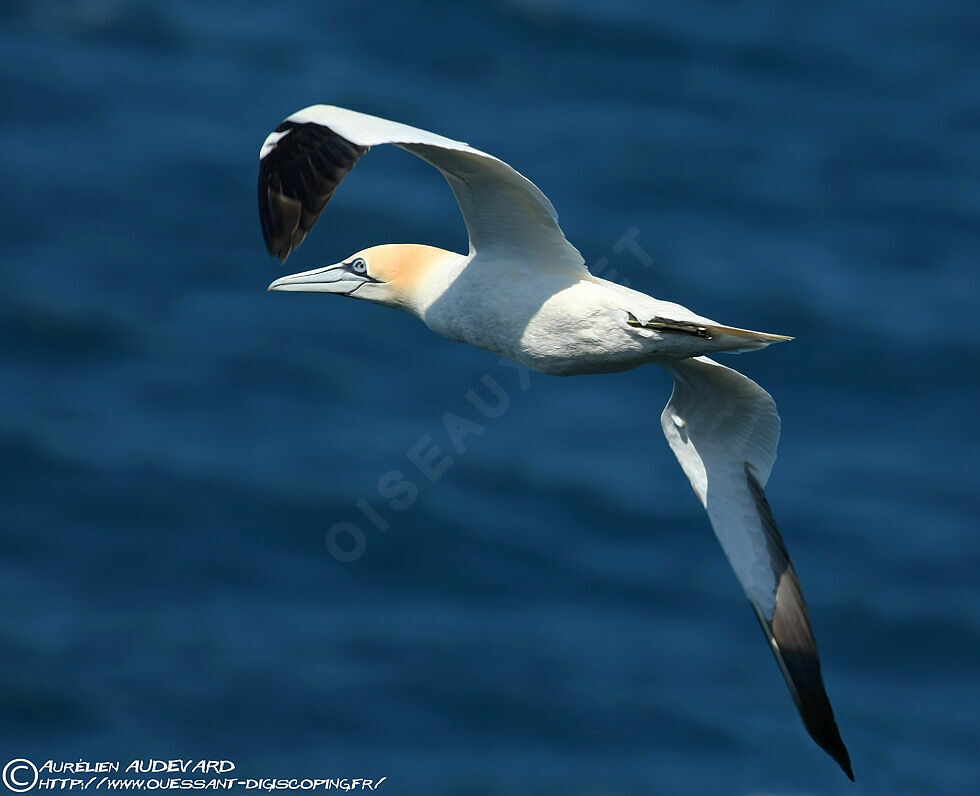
pixel 297 176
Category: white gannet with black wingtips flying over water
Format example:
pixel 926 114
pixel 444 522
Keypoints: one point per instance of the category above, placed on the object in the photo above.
pixel 523 292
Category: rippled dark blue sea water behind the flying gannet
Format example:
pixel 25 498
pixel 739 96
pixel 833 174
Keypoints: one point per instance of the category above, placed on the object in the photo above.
pixel 185 459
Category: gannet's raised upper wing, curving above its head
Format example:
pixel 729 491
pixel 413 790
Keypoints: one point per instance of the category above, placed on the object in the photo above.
pixel 303 161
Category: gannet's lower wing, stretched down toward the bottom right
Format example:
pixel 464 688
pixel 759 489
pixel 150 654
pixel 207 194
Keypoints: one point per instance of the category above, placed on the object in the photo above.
pixel 724 429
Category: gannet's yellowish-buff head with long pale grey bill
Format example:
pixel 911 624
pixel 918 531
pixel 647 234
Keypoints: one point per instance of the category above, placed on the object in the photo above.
pixel 395 274
